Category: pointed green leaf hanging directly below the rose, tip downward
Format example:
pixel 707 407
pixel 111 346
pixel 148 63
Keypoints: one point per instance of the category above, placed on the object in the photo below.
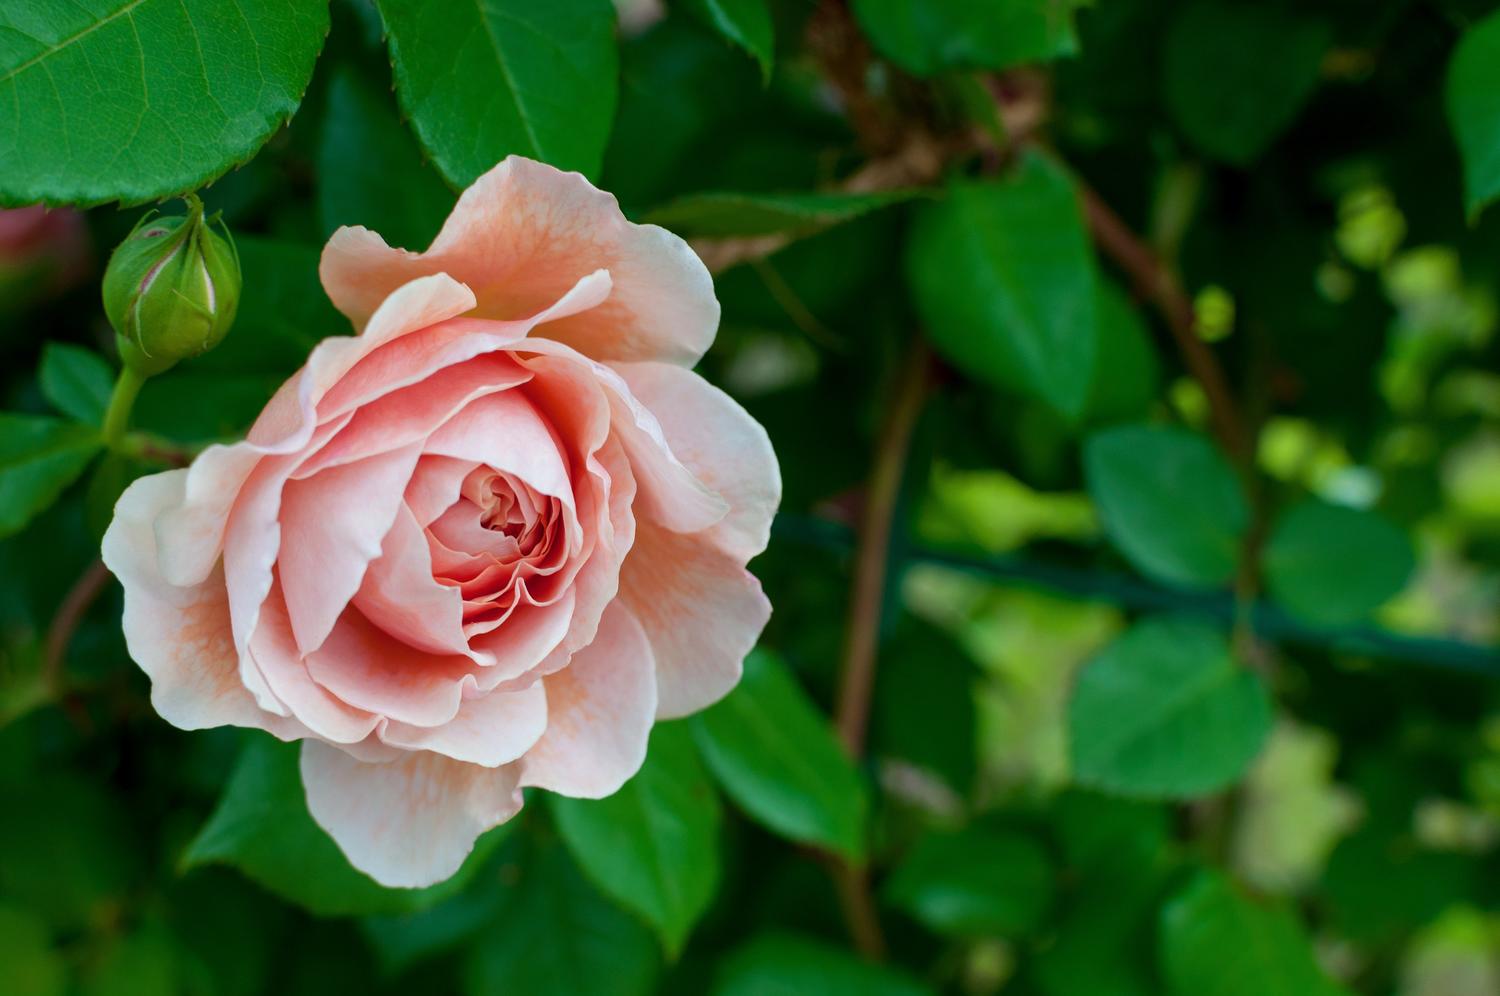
pixel 653 847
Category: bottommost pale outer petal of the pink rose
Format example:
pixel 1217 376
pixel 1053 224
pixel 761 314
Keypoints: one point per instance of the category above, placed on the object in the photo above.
pixel 407 823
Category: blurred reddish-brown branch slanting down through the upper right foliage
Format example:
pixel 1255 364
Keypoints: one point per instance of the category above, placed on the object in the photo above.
pixel 1156 283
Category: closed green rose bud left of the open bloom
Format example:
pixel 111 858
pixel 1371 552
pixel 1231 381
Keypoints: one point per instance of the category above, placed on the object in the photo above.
pixel 172 290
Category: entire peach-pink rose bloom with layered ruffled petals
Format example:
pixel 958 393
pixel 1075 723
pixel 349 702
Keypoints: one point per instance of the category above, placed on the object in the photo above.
pixel 482 545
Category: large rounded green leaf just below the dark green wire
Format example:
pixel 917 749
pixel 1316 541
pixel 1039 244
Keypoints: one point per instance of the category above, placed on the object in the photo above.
pixel 1166 712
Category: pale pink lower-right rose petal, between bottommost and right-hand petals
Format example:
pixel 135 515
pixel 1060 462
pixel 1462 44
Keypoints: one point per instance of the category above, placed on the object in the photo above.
pixel 599 713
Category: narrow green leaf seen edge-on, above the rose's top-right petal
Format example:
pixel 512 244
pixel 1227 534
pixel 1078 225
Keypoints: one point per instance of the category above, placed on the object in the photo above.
pixel 730 215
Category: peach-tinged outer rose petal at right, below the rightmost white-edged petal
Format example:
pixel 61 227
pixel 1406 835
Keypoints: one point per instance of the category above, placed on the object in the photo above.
pixel 701 610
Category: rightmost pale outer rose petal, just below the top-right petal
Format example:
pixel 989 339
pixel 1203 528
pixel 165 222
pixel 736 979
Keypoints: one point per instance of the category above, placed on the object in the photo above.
pixel 721 443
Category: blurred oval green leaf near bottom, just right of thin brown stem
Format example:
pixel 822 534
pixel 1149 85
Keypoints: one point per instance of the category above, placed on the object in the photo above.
pixel 974 883
